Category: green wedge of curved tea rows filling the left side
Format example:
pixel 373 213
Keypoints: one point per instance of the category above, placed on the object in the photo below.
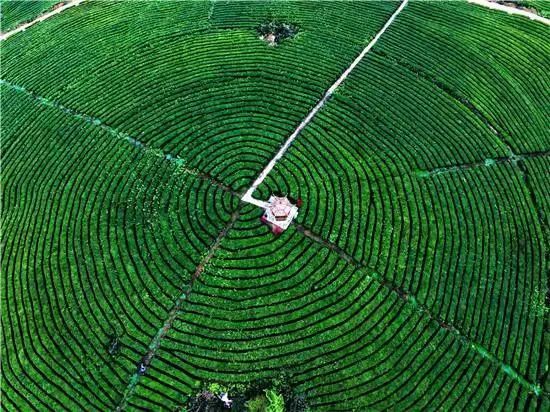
pixel 99 239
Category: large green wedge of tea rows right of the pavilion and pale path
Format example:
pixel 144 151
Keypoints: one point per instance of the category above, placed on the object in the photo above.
pixel 468 245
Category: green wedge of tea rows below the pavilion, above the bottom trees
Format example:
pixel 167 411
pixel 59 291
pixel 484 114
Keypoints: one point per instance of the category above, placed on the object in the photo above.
pixel 270 305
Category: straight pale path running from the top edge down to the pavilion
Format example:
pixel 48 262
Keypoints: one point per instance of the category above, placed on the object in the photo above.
pixel 247 197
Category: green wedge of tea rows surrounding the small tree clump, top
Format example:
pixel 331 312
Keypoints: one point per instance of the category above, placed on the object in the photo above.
pixel 193 78
